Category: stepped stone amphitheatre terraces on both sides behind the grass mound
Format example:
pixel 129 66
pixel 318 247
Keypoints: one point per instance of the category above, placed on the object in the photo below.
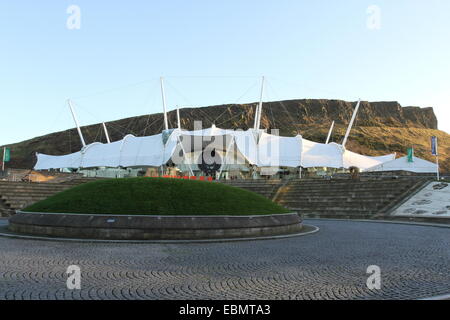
pixel 336 198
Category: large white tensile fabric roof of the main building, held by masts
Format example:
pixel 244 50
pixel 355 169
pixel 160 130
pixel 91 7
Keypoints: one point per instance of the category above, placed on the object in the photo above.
pixel 156 150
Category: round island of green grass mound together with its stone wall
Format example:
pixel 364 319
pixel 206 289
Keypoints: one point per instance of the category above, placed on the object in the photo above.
pixel 155 209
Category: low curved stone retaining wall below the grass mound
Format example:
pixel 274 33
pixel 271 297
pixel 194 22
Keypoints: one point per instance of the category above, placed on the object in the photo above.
pixel 139 227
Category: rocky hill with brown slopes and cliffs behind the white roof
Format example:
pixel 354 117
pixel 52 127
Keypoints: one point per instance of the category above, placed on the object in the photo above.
pixel 380 127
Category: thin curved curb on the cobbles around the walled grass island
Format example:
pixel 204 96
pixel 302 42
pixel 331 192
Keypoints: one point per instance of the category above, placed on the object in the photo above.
pixel 29 237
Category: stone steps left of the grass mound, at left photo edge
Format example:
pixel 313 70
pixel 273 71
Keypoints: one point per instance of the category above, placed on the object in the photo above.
pixel 17 195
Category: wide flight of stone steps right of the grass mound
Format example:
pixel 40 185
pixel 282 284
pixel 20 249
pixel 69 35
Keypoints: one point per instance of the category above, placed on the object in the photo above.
pixel 343 199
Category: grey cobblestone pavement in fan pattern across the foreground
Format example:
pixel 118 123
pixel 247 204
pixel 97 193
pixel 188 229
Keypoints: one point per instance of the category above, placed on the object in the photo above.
pixel 330 264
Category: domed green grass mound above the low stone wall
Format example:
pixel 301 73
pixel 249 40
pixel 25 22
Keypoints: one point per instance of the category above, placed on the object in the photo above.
pixel 157 196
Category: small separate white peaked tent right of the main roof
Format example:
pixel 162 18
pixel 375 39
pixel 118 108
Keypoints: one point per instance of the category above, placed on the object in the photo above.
pixel 418 165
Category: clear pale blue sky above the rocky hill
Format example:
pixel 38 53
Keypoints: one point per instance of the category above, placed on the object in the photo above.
pixel 213 52
